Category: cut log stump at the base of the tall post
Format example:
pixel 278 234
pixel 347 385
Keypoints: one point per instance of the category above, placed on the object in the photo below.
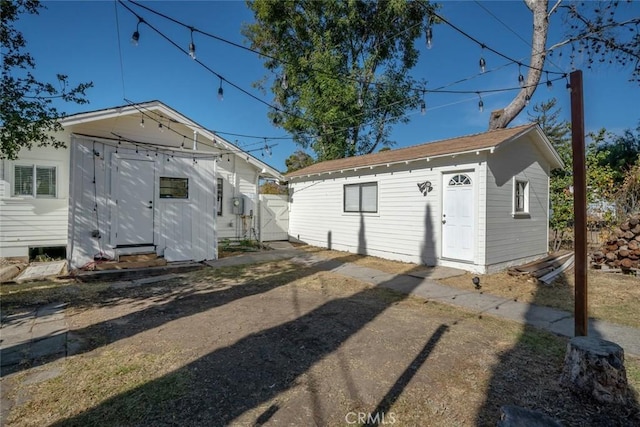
pixel 595 367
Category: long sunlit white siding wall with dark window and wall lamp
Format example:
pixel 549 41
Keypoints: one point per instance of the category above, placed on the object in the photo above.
pixel 406 227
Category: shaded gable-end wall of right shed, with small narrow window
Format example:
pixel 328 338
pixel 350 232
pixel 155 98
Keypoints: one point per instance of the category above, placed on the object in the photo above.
pixel 512 238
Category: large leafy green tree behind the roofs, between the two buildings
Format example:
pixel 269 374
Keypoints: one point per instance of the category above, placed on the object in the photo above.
pixel 343 69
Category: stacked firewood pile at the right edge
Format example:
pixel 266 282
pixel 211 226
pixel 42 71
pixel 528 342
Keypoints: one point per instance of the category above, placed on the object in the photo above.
pixel 622 249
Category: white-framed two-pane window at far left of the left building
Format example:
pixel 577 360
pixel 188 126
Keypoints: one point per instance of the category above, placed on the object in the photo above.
pixel 35 181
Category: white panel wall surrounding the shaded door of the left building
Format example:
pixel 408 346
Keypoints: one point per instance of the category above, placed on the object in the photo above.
pixel 183 229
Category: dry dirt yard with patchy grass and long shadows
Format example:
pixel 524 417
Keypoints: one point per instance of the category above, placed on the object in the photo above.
pixel 282 344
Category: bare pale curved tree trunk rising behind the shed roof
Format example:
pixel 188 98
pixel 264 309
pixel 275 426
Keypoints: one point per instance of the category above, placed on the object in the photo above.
pixel 501 118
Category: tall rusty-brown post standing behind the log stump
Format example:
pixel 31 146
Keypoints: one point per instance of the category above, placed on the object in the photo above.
pixel 579 204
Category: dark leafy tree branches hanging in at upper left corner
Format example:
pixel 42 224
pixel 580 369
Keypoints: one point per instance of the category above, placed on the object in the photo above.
pixel 27 115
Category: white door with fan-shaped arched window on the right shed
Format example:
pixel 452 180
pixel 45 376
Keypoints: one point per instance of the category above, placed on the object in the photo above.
pixel 457 217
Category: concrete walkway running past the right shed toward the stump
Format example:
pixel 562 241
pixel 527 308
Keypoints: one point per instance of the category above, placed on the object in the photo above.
pixel 553 320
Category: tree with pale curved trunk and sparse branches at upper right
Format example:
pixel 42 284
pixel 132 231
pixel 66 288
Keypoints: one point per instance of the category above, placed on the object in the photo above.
pixel 593 31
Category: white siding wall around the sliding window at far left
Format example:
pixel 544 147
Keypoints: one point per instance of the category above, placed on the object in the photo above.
pixel 34 222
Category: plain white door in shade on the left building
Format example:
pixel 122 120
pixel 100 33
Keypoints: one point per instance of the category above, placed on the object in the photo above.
pixel 135 184
